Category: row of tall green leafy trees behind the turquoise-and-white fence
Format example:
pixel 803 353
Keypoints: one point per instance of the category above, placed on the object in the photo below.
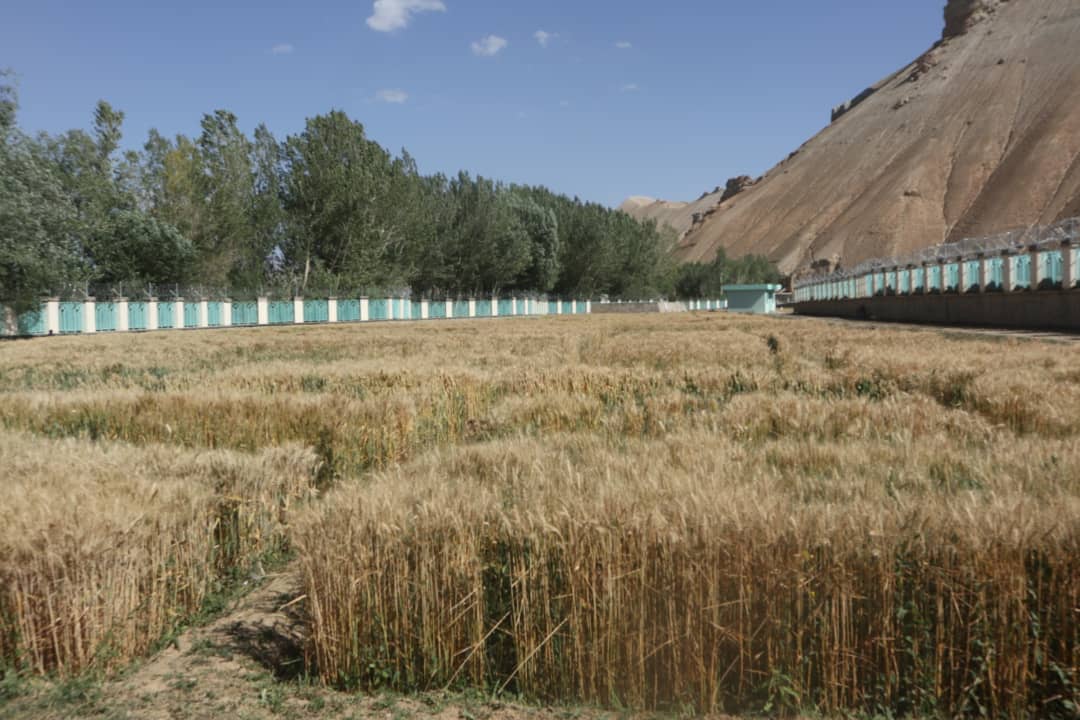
pixel 325 211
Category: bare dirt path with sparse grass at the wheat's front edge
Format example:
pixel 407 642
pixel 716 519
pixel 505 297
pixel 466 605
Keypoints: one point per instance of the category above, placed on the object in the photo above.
pixel 249 664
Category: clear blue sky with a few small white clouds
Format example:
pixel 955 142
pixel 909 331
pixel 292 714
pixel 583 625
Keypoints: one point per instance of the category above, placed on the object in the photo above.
pixel 633 98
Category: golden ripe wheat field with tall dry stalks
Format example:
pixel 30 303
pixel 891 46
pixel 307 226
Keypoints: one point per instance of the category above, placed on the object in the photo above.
pixel 703 512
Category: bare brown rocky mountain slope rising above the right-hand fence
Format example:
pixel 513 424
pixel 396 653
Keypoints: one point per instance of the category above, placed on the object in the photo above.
pixel 981 134
